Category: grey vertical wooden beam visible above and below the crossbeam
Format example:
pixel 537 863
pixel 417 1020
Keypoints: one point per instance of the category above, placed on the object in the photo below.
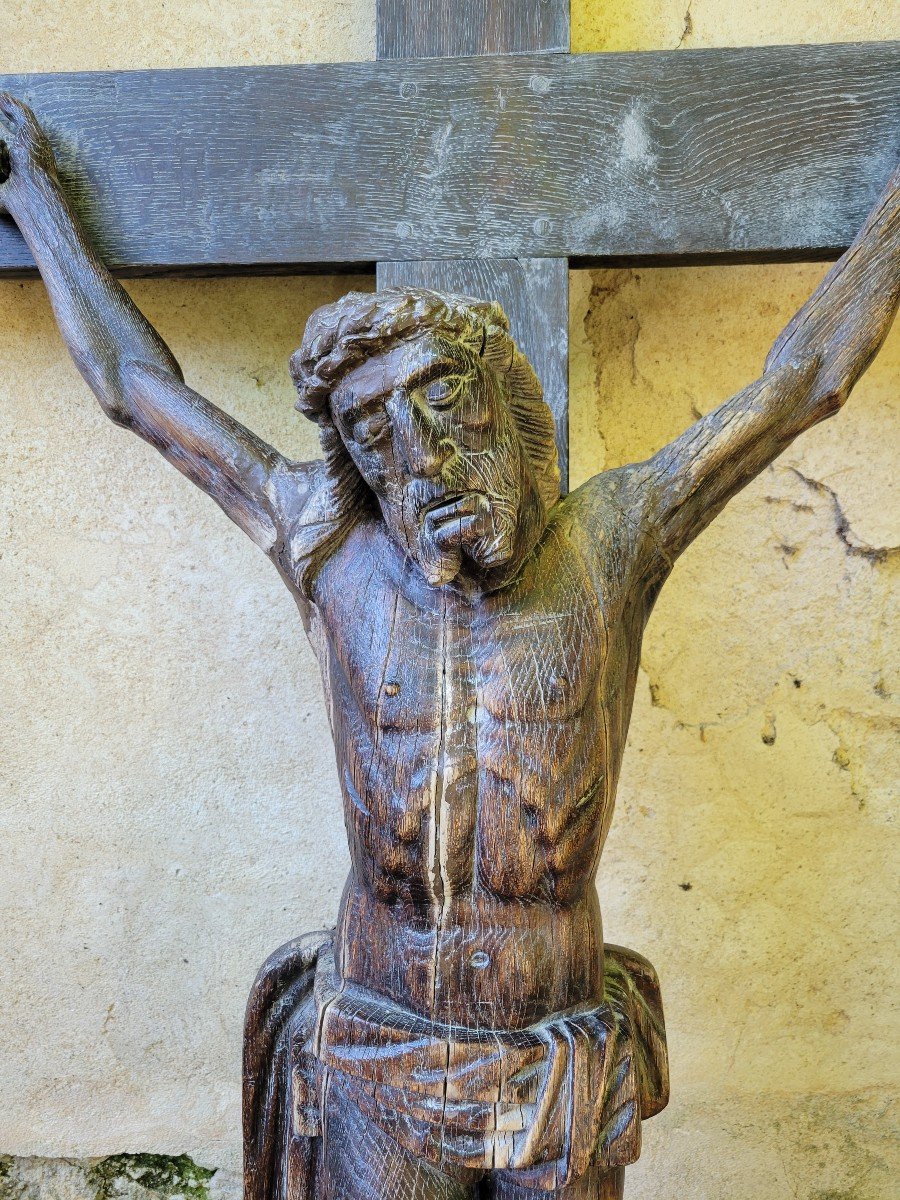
pixel 535 292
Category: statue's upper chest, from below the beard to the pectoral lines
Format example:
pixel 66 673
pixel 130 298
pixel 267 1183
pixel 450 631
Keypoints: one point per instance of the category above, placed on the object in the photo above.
pixel 413 662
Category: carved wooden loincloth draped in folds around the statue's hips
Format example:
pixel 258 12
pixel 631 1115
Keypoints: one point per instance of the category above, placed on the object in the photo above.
pixel 544 1102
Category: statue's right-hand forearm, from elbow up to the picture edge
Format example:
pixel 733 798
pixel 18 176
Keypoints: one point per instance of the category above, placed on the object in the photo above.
pixel 843 326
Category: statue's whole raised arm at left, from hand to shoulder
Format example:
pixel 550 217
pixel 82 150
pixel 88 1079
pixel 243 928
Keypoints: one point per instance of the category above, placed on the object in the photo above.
pixel 122 357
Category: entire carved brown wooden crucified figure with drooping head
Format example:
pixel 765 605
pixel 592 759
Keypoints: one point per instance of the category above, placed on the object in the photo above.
pixel 464 1031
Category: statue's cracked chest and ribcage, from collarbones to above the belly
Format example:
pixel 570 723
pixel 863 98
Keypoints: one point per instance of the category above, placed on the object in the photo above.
pixel 461 727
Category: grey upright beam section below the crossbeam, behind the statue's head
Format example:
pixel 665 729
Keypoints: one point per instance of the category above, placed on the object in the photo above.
pixel 535 295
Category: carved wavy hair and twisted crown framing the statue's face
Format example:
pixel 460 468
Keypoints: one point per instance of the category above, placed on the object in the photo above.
pixel 341 335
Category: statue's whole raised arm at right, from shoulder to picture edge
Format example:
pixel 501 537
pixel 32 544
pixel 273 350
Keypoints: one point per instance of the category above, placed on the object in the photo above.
pixel 809 375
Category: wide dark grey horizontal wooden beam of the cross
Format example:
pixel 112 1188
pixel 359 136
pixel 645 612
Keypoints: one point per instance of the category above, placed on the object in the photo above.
pixel 745 154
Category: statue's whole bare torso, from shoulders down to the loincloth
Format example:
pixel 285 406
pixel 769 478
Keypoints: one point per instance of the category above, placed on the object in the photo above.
pixel 479 742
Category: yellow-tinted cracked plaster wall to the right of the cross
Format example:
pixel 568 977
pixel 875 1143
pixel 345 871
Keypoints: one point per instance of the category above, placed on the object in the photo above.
pixel 763 766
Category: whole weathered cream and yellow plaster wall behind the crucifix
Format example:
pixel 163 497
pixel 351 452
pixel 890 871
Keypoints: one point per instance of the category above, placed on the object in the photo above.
pixel 169 806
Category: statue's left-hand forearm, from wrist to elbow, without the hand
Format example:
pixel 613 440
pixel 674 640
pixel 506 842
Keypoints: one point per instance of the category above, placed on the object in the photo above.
pixel 101 326
